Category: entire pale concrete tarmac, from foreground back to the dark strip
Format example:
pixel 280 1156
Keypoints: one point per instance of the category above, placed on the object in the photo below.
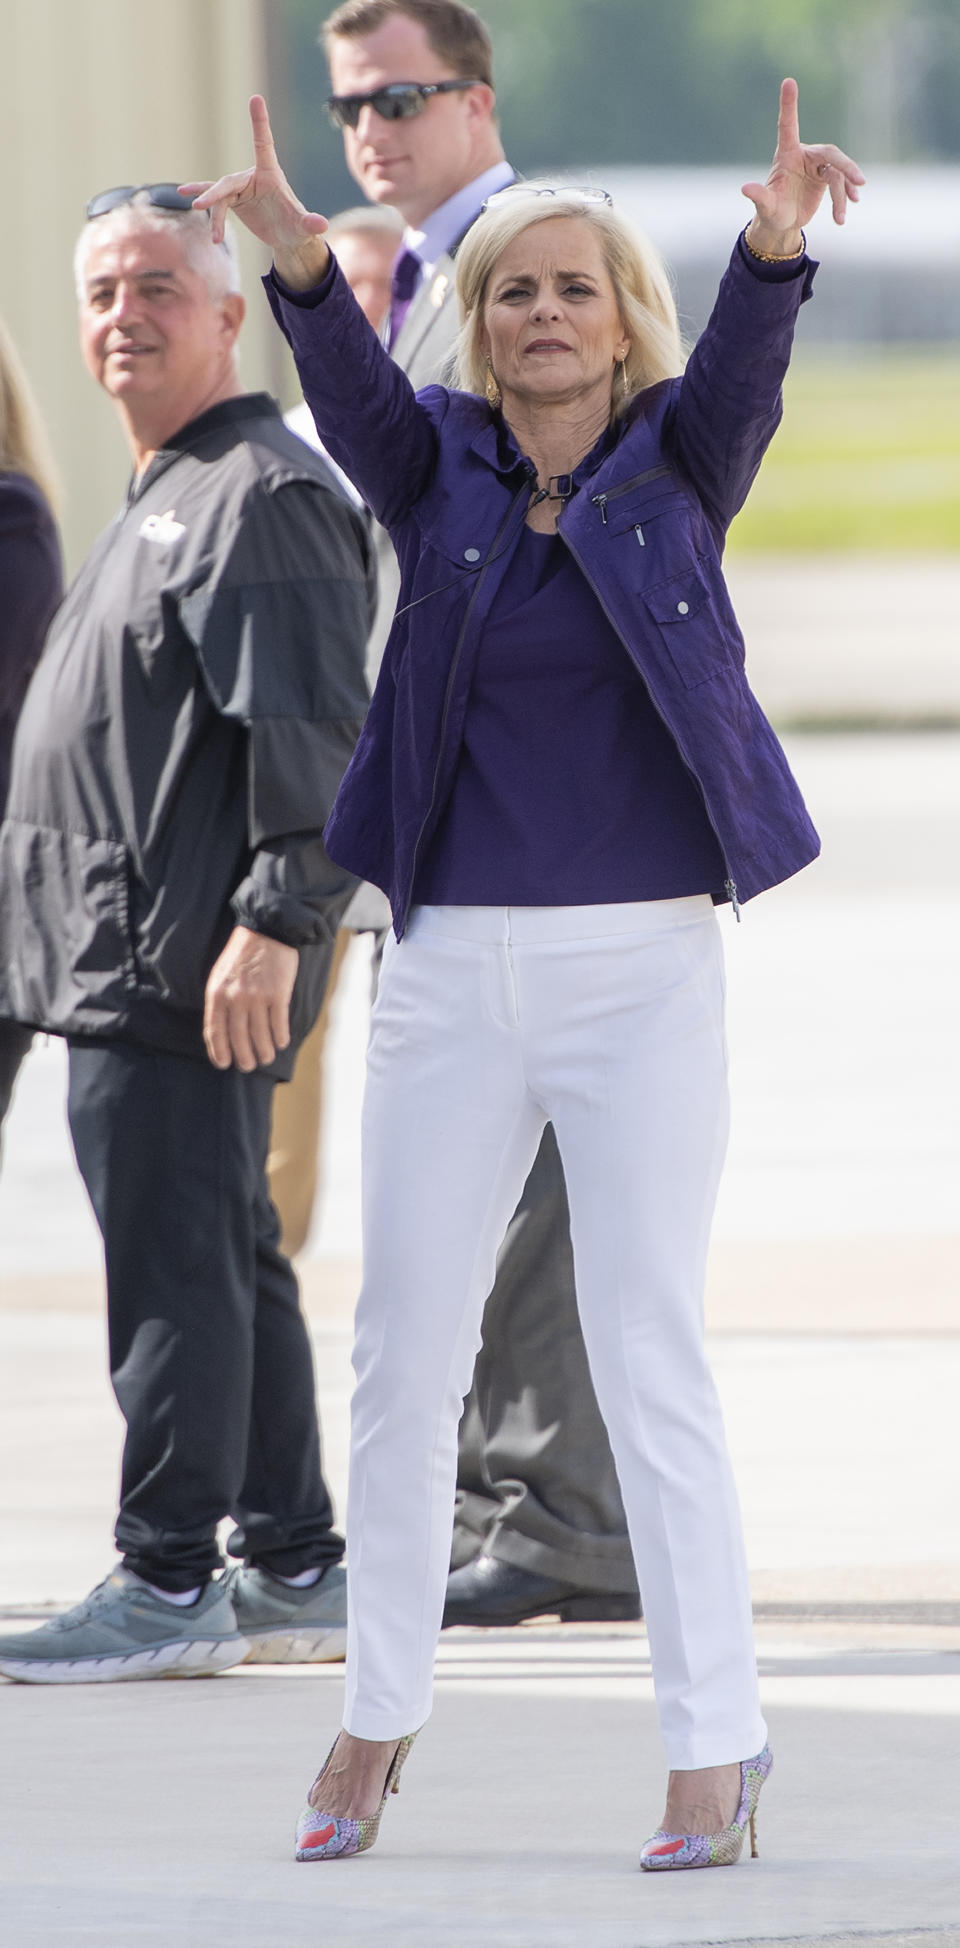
pixel 163 1815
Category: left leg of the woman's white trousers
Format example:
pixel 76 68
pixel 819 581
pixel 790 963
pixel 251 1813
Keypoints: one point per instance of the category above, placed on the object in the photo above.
pixel 433 1220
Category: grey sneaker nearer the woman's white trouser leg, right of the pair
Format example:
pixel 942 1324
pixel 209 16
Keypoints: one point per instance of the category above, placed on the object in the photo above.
pixel 287 1626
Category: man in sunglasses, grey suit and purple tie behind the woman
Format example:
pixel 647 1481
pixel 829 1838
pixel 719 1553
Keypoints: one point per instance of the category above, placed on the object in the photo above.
pixel 540 1524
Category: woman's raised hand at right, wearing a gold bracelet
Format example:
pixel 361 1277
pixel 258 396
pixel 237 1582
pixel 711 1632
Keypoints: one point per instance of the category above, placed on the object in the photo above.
pixel 797 182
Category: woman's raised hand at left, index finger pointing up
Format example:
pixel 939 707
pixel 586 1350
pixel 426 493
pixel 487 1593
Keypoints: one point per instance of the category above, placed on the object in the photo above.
pixel 266 204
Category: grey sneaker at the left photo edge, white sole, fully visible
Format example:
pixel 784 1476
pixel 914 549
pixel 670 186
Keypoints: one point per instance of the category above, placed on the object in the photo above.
pixel 124 1631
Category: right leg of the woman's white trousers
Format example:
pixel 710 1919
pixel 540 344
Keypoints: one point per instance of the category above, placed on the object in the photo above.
pixel 642 1123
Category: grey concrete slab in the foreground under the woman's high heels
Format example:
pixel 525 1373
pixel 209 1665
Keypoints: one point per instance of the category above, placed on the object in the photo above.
pixel 165 1813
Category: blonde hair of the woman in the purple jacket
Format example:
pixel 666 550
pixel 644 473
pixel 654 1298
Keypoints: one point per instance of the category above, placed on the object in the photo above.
pixel 640 278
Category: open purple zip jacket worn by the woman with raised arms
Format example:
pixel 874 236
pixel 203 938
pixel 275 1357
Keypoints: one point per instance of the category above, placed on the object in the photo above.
pixel 647 529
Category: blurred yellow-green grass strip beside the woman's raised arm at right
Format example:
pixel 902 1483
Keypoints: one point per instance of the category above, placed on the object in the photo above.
pixel 868 457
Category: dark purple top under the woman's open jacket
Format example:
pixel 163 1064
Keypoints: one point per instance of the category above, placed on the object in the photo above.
pixel 570 790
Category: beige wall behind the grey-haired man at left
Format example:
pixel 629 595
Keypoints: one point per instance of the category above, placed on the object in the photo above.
pixel 102 93
